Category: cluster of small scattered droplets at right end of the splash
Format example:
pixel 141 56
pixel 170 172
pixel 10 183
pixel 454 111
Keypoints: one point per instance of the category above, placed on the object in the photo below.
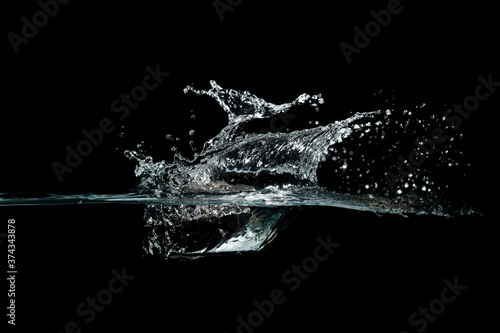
pixel 367 161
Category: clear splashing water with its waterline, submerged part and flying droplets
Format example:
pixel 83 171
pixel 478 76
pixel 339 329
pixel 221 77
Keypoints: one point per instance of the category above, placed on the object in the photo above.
pixel 239 190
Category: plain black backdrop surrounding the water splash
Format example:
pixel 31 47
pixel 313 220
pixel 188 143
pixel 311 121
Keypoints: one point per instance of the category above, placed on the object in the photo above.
pixel 65 78
